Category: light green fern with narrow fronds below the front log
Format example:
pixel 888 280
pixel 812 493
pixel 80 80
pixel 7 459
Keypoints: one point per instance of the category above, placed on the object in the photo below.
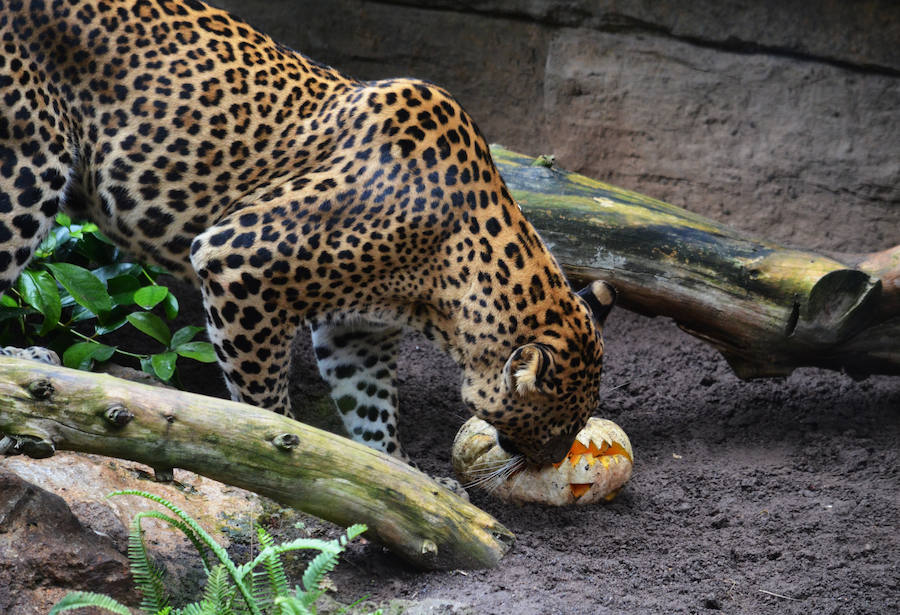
pixel 259 587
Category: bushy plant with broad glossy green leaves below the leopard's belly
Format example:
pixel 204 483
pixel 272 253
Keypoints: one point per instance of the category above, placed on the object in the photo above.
pixel 79 288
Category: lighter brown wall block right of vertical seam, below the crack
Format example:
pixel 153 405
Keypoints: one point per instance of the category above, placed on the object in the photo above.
pixel 766 143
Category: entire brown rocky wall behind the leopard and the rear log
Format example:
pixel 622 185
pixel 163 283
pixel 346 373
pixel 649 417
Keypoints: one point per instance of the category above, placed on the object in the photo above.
pixel 781 118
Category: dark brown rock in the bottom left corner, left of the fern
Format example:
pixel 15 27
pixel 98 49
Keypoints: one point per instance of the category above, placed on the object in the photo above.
pixel 45 552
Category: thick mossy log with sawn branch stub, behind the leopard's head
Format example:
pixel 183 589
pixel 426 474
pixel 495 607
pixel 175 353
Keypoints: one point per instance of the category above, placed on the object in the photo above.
pixel 767 308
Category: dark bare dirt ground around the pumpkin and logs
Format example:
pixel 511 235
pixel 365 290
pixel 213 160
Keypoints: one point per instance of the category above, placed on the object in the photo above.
pixel 747 497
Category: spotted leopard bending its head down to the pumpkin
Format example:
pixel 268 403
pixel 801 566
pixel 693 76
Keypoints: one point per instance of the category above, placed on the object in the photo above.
pixel 293 195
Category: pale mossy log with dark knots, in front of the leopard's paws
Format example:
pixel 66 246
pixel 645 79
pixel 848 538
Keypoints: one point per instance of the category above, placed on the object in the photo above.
pixel 44 408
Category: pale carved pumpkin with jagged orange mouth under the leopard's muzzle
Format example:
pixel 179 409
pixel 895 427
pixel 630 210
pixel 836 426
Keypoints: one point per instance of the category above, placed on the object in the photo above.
pixel 578 478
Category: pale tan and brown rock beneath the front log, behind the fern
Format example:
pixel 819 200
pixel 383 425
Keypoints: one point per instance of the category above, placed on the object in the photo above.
pixel 78 485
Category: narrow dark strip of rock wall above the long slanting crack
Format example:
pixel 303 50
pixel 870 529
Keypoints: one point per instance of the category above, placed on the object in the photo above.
pixel 863 33
